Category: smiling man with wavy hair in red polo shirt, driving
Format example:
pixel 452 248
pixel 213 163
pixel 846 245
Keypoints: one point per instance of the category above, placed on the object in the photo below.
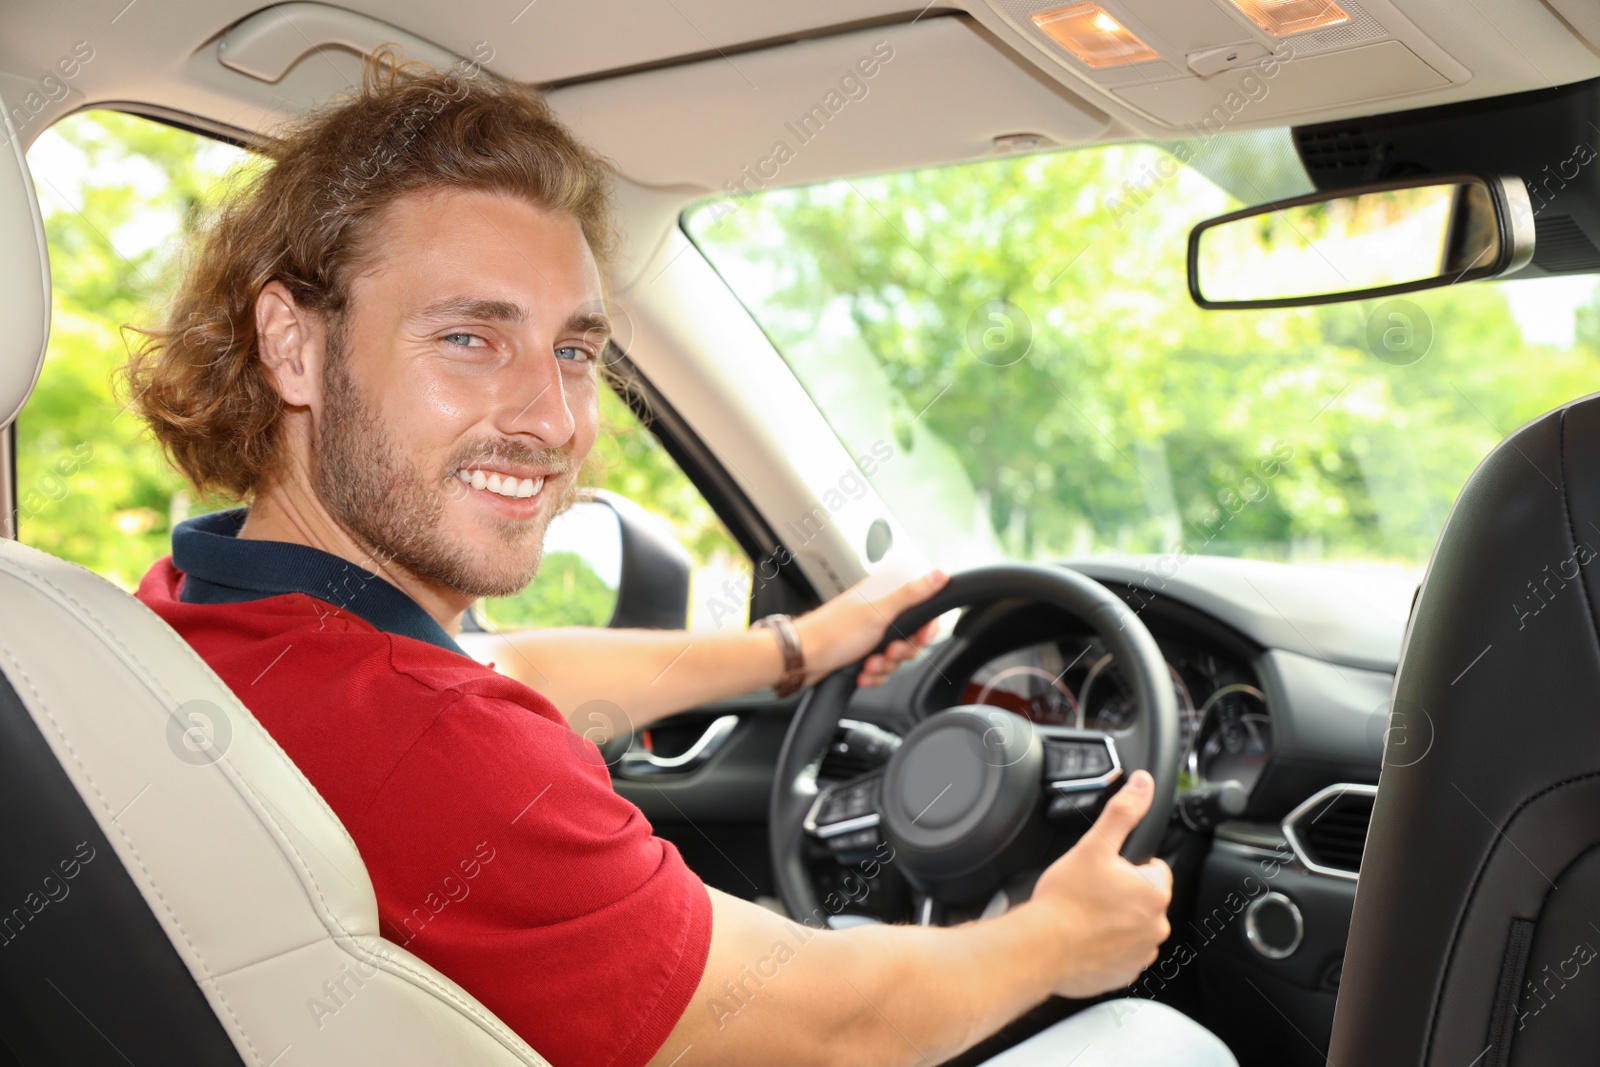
pixel 388 346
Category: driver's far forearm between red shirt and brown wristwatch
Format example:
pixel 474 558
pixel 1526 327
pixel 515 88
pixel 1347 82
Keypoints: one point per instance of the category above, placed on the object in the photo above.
pixel 647 674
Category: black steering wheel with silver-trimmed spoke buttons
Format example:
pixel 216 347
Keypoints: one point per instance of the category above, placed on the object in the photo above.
pixel 975 794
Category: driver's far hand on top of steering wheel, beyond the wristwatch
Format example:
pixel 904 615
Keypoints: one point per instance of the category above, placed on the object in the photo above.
pixel 850 626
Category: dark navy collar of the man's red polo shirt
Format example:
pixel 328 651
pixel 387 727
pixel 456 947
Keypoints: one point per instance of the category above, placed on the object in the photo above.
pixel 223 569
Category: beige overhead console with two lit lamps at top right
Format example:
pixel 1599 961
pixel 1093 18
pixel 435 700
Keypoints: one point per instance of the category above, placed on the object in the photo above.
pixel 1206 66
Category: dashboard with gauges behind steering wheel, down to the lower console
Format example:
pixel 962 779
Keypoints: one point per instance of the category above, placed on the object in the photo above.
pixel 1282 676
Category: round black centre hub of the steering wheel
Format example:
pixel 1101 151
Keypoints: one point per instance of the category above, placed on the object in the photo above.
pixel 959 793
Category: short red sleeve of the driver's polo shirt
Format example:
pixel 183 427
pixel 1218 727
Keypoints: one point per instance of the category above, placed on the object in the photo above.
pixel 503 857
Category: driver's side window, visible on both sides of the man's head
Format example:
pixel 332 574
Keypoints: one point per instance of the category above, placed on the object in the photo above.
pixel 119 198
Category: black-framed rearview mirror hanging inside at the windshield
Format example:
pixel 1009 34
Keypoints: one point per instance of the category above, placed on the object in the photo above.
pixel 1375 241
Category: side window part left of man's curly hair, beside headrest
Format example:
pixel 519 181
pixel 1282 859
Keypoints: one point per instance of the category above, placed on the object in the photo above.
pixel 119 196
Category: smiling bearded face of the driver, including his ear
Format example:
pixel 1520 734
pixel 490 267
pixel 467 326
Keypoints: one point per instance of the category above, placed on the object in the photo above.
pixel 457 390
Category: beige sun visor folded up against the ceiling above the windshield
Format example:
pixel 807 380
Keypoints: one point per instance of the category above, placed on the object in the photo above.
pixel 937 90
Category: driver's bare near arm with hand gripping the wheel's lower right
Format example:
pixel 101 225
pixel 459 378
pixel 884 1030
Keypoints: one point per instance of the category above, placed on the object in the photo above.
pixel 778 993
